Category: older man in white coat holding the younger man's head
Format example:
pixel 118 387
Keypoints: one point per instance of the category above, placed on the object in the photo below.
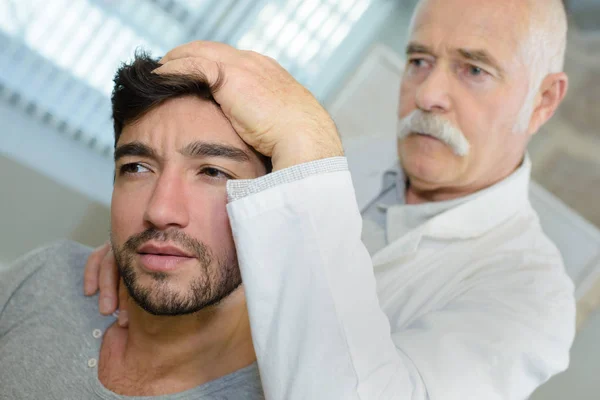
pixel 464 297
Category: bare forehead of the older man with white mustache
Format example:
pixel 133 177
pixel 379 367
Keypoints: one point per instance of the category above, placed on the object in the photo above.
pixel 499 27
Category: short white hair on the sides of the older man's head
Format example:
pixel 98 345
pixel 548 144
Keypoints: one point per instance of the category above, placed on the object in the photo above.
pixel 543 50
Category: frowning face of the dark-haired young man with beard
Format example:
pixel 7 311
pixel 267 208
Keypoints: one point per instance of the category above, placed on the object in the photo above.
pixel 170 230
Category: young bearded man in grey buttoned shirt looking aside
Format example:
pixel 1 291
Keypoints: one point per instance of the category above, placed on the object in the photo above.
pixel 189 334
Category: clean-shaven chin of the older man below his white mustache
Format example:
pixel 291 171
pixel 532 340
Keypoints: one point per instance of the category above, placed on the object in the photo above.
pixel 428 159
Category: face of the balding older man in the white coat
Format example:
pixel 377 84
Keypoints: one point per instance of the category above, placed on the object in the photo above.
pixel 465 68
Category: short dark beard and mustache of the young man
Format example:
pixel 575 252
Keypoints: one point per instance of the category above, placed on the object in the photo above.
pixel 212 286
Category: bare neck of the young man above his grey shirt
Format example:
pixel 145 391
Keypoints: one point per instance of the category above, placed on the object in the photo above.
pixel 185 351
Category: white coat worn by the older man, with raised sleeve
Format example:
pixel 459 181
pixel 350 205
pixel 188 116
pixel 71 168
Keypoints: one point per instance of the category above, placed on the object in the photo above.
pixel 473 304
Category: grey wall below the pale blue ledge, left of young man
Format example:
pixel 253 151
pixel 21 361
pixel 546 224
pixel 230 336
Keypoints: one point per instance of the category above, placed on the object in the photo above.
pixel 35 210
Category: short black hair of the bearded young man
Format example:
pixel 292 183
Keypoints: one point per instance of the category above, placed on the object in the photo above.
pixel 138 90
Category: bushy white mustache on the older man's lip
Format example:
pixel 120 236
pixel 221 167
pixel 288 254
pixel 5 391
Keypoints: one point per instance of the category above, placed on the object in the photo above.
pixel 433 125
